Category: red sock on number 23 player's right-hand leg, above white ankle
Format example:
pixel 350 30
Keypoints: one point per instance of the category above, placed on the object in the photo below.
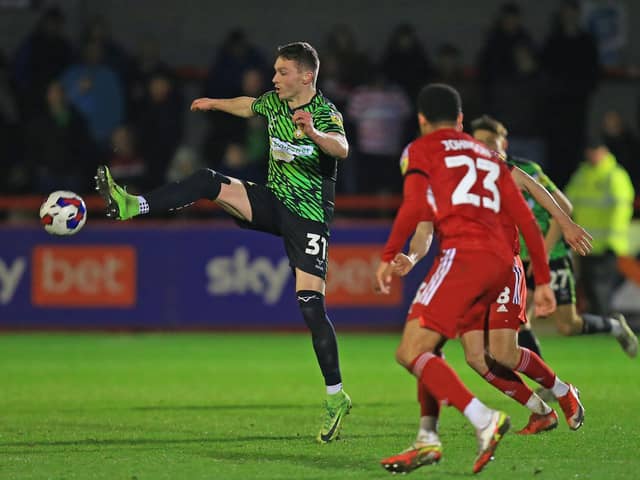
pixel 441 381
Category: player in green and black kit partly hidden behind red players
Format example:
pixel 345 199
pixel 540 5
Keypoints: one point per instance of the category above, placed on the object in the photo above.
pixel 568 320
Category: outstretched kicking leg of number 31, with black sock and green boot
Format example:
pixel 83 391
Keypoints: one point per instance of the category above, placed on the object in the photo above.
pixel 205 183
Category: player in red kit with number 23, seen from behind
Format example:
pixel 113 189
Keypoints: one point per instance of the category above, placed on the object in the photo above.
pixel 469 188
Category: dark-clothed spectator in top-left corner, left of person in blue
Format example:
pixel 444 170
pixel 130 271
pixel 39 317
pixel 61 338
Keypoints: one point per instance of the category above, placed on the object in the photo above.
pixel 40 59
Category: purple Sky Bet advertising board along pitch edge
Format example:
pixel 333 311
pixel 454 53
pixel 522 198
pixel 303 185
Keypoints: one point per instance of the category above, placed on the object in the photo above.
pixel 193 275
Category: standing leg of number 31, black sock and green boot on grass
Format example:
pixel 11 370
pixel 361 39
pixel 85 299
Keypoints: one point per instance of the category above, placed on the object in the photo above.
pixel 310 294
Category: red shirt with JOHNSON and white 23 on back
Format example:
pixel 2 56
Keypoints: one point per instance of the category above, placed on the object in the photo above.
pixel 469 188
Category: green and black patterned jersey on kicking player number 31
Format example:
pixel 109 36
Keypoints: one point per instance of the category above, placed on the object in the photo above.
pixel 300 174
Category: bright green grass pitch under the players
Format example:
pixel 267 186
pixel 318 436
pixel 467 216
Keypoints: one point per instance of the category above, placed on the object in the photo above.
pixel 249 406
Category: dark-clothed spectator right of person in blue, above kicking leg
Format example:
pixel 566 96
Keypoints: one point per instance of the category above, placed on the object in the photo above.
pixel 160 125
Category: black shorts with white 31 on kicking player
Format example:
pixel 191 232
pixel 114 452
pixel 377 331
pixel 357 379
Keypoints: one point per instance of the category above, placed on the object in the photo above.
pixel 305 241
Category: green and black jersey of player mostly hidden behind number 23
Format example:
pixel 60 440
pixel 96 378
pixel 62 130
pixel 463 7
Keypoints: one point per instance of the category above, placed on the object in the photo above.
pixel 543 217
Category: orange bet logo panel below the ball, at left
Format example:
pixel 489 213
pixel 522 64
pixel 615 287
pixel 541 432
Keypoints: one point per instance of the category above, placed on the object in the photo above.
pixel 83 276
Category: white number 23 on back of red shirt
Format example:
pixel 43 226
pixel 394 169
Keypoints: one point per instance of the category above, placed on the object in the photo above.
pixel 462 194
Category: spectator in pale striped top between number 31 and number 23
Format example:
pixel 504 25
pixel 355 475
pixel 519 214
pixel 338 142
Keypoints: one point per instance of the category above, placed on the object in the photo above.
pixel 380 112
